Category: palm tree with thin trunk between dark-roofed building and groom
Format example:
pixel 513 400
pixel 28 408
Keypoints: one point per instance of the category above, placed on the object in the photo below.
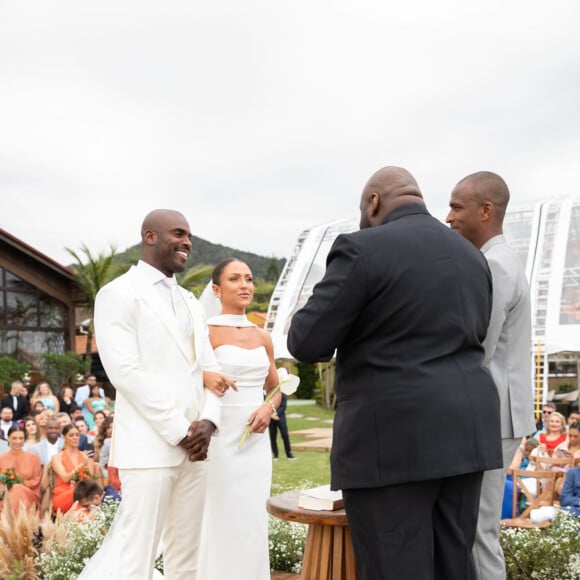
pixel 90 277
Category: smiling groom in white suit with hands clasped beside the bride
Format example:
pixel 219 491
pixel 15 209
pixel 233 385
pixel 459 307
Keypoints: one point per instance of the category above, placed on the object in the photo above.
pixel 158 357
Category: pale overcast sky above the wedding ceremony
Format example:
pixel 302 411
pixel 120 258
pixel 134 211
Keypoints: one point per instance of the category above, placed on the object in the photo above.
pixel 258 119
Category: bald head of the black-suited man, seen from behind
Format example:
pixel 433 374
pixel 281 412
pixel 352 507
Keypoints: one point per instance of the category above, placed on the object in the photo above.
pixel 386 190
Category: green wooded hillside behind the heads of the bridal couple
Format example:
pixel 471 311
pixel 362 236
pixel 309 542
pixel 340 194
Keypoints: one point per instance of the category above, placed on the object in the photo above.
pixel 206 253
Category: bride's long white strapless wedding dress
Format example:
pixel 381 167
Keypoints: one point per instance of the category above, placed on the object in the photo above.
pixel 235 531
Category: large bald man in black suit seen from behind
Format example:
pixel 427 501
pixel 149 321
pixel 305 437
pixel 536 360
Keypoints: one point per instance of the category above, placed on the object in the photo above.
pixel 406 305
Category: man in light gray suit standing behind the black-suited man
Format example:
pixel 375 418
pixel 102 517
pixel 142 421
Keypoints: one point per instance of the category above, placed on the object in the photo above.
pixel 478 205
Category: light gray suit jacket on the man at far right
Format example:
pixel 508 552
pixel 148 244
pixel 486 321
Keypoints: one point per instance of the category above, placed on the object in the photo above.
pixel 509 337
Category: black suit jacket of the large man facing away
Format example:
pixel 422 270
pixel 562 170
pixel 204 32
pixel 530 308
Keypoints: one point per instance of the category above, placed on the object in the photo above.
pixel 406 305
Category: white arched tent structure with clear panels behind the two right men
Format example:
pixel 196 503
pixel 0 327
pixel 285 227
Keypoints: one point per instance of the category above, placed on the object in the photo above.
pixel 545 234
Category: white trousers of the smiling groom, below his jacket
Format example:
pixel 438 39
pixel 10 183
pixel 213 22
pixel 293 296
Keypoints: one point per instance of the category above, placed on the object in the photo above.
pixel 161 503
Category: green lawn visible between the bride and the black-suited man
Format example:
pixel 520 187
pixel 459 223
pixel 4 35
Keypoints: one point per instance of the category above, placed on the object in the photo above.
pixel 311 468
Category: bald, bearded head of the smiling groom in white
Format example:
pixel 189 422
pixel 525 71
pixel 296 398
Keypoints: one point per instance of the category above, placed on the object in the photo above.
pixel 165 240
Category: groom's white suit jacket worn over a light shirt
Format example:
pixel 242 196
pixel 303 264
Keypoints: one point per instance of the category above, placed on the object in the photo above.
pixel 159 385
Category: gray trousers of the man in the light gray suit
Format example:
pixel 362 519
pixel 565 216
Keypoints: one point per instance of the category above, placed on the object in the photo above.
pixel 487 553
